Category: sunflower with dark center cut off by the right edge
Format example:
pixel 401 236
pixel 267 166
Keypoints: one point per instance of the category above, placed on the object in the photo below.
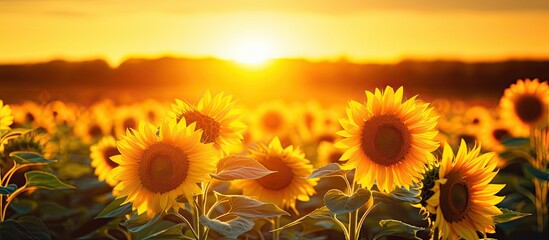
pixel 525 105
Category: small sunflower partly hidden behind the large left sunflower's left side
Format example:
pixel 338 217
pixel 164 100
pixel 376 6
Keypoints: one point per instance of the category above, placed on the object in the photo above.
pixel 100 154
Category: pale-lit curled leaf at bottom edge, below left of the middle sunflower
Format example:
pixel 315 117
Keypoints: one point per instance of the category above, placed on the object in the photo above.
pixel 230 229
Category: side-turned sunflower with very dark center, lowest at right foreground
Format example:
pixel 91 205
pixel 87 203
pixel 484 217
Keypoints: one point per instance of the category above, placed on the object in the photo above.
pixel 463 199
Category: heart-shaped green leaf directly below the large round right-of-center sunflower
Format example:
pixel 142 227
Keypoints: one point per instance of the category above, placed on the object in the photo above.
pixel 339 202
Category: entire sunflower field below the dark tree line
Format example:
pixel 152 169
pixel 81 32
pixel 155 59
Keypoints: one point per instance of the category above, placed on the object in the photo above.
pixel 385 166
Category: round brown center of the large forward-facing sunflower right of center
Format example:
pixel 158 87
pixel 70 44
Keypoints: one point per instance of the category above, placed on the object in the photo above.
pixel 385 139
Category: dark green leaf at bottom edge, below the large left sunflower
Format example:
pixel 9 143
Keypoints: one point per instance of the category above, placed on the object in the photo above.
pixel 161 230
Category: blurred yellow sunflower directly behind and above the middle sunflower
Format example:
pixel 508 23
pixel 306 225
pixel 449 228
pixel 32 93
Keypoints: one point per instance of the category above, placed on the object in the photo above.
pixel 272 119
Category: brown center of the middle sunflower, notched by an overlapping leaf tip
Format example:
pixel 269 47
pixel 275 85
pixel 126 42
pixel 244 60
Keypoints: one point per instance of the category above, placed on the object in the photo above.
pixel 279 180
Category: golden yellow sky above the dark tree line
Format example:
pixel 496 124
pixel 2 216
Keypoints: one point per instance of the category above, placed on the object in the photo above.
pixel 363 31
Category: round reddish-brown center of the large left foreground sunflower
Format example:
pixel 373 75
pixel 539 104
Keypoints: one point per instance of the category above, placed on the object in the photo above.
pixel 163 167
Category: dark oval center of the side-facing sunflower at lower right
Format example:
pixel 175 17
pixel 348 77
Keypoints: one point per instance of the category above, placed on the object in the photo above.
pixel 454 198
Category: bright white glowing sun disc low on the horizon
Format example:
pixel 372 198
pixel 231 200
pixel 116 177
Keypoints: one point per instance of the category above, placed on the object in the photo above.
pixel 252 50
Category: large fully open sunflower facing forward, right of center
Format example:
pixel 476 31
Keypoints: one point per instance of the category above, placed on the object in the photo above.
pixel 387 140
